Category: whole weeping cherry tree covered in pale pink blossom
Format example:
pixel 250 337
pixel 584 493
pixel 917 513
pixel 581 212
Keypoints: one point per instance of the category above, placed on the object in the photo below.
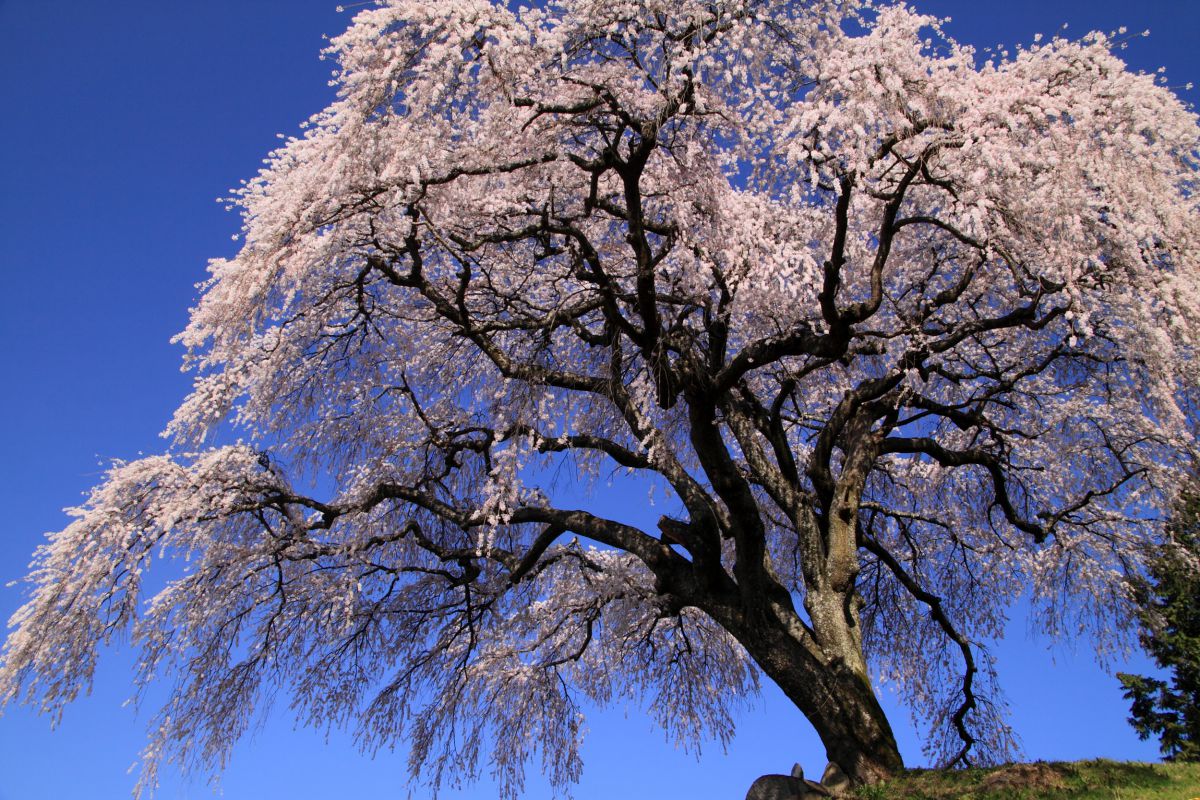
pixel 905 336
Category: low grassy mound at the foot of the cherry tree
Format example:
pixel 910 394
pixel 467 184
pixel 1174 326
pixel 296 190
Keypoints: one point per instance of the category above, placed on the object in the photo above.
pixel 1099 780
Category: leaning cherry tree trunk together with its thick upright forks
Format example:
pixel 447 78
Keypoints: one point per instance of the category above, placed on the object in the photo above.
pixel 820 665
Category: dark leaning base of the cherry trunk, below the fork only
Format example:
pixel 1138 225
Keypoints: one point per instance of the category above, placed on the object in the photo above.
pixel 832 691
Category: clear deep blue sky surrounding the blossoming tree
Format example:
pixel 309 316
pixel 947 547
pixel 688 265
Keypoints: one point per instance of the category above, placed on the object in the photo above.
pixel 124 121
